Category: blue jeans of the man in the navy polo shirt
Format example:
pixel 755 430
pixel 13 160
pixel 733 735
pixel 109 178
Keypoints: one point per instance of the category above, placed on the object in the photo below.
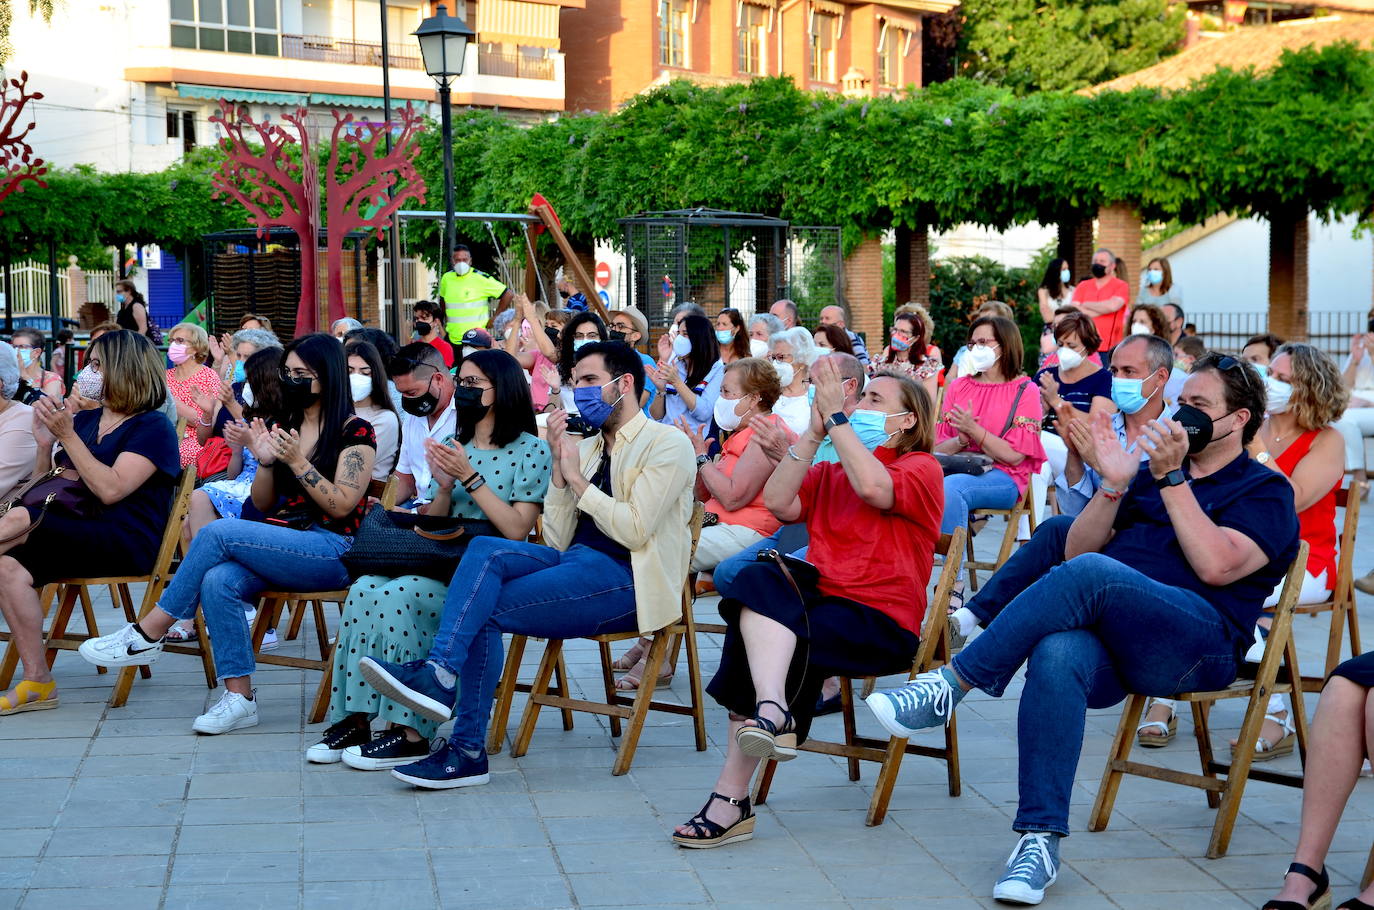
pixel 1090 632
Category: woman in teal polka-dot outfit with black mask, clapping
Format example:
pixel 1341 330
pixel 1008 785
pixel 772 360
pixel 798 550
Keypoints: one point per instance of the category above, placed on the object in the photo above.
pixel 396 619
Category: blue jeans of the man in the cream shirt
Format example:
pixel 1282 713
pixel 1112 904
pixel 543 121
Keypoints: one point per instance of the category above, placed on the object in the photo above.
pixel 512 586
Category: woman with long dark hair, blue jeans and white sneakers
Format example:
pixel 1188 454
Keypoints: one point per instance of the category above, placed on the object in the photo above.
pixel 319 460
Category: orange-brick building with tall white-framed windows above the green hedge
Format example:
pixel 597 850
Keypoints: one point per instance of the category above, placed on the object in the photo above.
pixel 618 49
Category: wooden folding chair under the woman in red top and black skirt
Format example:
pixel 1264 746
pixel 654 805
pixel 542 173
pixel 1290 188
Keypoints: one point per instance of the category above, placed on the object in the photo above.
pixel 932 654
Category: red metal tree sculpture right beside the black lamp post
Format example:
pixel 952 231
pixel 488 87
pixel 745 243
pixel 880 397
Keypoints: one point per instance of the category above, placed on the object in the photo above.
pixel 358 179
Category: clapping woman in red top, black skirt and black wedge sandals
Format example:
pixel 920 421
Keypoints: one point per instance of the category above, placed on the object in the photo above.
pixel 864 617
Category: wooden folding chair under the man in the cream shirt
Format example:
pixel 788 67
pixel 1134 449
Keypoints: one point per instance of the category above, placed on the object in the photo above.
pixel 619 707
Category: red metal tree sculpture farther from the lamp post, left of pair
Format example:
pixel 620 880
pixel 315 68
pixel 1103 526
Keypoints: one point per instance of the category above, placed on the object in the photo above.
pixel 271 171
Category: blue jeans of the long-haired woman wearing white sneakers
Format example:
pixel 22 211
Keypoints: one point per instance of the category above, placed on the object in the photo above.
pixel 232 562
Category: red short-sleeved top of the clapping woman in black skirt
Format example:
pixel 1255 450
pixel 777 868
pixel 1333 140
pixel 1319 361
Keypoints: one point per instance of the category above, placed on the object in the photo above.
pixel 881 559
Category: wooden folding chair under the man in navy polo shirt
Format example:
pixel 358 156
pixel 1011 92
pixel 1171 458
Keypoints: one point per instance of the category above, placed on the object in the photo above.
pixel 1224 794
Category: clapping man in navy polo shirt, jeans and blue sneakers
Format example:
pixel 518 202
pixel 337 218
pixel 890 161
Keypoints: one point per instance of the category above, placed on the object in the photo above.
pixel 1155 588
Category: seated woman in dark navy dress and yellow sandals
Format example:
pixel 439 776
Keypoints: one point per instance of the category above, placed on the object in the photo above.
pixel 126 454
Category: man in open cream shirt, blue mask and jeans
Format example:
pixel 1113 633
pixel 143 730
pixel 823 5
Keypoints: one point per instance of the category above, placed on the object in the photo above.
pixel 618 533
